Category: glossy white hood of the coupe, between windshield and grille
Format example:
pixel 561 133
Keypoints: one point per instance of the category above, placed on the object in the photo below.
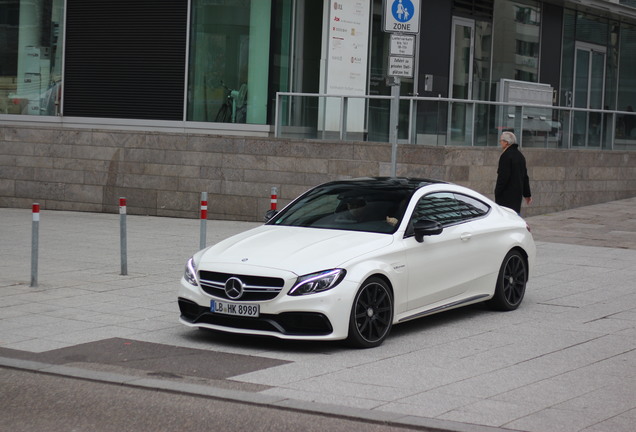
pixel 296 249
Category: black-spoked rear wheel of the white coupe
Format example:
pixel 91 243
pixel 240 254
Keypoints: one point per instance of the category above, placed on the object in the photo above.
pixel 511 282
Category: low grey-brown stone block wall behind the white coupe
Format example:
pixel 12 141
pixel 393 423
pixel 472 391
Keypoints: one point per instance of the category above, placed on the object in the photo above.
pixel 163 174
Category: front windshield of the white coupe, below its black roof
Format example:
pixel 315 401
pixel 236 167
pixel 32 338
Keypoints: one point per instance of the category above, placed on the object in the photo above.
pixel 356 206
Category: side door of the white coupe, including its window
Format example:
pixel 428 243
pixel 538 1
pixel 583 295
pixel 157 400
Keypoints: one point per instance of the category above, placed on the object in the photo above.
pixel 444 266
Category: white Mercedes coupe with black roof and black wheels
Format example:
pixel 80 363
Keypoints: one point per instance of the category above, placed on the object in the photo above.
pixel 349 259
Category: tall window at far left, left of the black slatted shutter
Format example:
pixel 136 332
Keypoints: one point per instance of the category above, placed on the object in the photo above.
pixel 31 56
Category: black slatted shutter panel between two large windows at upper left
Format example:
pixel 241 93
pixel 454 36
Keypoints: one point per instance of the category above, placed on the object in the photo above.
pixel 125 59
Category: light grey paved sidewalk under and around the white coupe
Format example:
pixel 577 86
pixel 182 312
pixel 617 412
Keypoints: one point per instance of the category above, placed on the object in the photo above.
pixel 565 361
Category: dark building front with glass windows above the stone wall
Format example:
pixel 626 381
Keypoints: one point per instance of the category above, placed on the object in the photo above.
pixel 240 53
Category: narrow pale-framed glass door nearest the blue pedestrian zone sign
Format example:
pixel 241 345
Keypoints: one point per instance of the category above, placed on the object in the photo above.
pixel 460 114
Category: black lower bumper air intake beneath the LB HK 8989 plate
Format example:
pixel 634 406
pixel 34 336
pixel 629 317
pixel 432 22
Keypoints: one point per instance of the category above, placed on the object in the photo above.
pixel 288 323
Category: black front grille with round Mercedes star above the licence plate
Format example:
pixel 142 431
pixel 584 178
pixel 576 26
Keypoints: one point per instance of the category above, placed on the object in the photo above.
pixel 257 288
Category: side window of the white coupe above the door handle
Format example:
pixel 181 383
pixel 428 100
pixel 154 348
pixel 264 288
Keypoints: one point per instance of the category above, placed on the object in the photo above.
pixel 448 208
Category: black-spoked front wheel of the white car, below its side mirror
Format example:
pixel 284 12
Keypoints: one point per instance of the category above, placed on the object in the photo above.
pixel 371 314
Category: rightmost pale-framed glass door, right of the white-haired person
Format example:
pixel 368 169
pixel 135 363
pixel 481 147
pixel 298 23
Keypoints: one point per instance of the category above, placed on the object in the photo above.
pixel 589 91
